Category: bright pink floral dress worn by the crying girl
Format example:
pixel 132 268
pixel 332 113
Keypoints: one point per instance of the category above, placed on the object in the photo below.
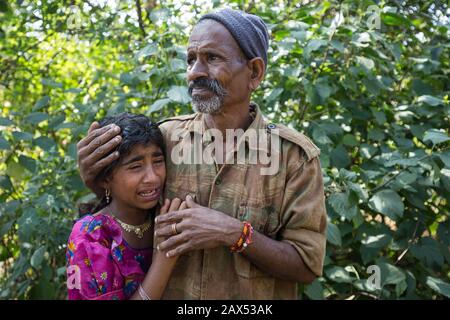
pixel 100 264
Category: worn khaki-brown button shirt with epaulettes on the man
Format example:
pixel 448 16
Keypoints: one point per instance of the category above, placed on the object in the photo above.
pixel 287 206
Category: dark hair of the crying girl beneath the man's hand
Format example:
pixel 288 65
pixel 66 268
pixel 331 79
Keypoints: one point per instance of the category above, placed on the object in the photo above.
pixel 135 129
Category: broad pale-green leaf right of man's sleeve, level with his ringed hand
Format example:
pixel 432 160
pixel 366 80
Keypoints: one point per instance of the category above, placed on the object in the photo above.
pixel 387 202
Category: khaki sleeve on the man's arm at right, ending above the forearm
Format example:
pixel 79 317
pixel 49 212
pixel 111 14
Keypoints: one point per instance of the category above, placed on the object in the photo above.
pixel 304 216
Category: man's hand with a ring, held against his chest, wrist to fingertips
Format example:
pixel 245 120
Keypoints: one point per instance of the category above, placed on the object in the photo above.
pixel 198 227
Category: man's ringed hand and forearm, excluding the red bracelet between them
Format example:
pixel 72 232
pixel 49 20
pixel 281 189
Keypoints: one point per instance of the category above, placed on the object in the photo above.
pixel 204 228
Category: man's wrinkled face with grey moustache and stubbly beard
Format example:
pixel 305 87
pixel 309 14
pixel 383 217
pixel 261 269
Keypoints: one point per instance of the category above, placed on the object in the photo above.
pixel 217 69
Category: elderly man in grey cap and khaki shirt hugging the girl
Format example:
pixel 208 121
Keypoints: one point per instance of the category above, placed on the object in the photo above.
pixel 245 235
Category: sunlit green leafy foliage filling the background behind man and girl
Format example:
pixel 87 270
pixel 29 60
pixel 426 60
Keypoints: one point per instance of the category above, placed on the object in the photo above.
pixel 375 99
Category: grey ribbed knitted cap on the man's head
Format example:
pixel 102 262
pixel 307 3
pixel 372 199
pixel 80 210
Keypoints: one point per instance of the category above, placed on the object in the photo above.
pixel 249 31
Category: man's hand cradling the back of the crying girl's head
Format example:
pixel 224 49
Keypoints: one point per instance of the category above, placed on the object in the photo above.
pixel 94 152
